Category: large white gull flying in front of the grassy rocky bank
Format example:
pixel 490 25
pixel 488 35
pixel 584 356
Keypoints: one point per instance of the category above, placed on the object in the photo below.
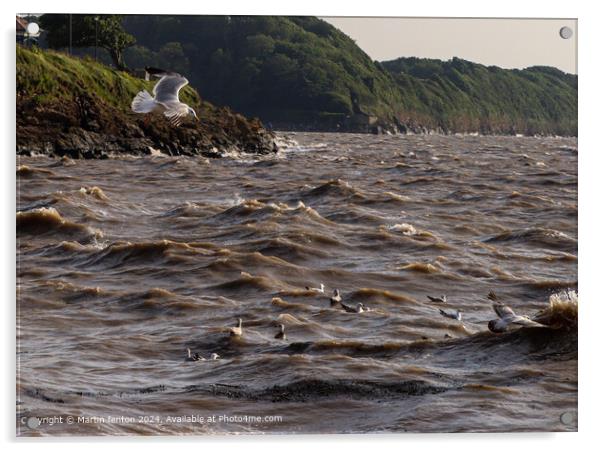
pixel 165 97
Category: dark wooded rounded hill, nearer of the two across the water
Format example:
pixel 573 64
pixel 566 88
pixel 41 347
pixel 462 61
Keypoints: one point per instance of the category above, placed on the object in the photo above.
pixel 267 66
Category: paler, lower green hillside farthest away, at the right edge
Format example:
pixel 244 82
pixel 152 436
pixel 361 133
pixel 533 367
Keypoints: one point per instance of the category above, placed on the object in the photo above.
pixel 460 95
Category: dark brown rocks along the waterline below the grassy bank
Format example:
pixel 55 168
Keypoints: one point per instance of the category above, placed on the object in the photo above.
pixel 57 132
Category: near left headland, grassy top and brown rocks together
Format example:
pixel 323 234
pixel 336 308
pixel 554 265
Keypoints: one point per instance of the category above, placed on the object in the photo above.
pixel 80 108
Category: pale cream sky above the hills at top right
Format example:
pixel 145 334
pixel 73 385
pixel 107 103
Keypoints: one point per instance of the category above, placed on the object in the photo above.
pixel 507 43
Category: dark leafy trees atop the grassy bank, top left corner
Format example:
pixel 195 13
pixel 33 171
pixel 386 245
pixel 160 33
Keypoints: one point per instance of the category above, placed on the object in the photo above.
pixel 111 36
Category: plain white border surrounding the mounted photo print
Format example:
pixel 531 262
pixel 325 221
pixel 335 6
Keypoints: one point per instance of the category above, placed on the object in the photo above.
pixel 590 102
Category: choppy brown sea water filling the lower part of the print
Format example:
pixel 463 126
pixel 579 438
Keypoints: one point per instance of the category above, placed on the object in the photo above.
pixel 123 264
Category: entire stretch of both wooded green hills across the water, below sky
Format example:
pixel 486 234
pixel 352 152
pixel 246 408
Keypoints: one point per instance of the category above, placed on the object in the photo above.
pixel 302 72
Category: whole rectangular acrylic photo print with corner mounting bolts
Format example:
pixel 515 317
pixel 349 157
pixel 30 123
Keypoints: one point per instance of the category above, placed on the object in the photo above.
pixel 231 224
